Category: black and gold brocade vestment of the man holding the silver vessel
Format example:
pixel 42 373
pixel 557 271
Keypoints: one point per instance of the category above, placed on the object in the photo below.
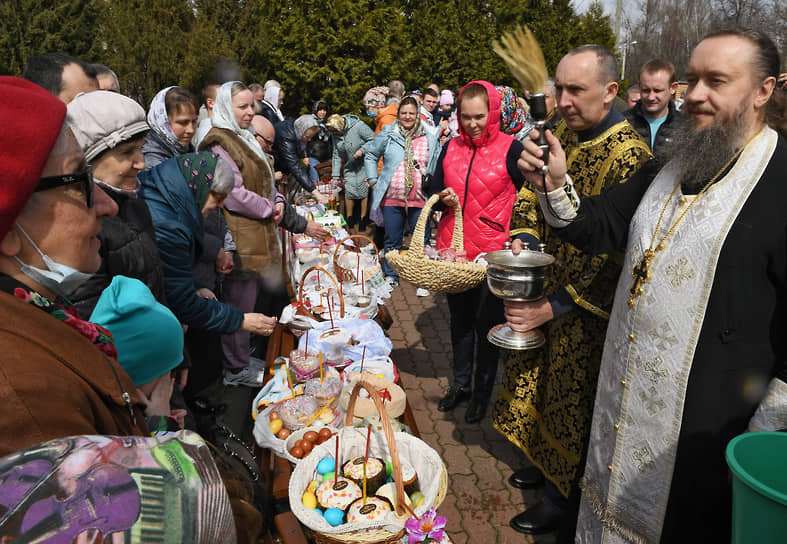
pixel 546 398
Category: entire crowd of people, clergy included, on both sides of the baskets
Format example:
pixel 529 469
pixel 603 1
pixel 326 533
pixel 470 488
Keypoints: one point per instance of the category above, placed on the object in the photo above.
pixel 146 237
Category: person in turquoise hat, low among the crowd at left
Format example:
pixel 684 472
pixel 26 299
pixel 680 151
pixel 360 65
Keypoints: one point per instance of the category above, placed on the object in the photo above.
pixel 149 342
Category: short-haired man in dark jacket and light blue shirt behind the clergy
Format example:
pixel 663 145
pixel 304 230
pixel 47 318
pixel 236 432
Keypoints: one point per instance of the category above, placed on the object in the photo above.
pixel 655 116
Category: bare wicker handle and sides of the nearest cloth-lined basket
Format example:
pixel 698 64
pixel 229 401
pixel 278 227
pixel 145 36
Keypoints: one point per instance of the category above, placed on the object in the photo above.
pixel 378 536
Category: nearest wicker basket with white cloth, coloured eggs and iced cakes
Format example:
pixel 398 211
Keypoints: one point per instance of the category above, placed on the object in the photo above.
pixel 360 486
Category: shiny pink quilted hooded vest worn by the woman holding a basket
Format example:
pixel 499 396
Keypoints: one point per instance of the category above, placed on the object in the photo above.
pixel 476 171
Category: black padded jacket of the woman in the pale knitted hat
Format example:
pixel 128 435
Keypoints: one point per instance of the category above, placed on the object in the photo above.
pixel 128 248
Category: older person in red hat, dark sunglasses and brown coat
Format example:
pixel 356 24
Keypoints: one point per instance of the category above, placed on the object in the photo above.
pixel 59 374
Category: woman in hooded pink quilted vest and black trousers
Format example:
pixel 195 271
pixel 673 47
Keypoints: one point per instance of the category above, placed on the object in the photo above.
pixel 478 170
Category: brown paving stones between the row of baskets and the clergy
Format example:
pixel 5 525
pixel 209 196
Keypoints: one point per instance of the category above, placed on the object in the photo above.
pixel 479 460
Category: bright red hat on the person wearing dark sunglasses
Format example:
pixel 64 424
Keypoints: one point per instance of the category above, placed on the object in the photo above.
pixel 31 119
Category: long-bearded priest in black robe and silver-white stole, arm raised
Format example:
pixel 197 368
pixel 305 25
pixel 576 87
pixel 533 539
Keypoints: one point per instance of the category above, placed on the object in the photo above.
pixel 695 350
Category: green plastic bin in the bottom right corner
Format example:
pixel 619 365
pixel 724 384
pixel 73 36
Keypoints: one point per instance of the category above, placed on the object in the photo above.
pixel 758 461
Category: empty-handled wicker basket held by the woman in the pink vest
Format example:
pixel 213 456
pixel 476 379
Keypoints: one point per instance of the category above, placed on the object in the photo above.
pixel 437 276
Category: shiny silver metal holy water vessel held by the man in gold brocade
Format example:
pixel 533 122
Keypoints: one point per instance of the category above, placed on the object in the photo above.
pixel 517 278
